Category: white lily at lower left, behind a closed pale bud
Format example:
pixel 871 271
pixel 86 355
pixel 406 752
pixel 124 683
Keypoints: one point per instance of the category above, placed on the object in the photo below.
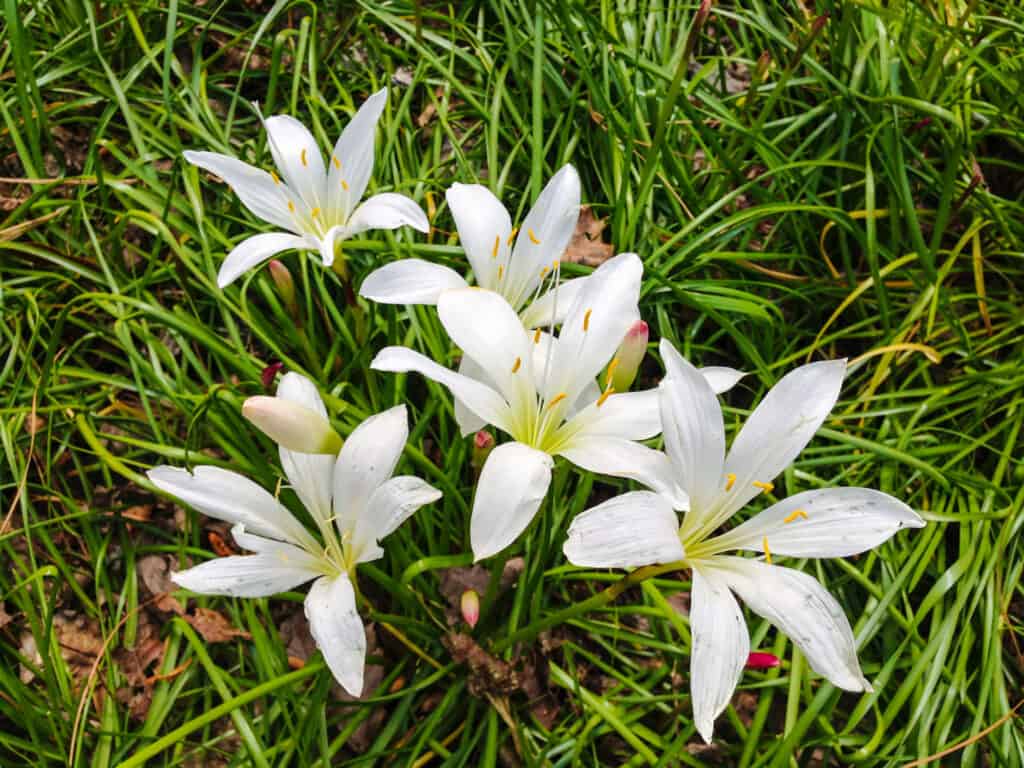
pixel 353 499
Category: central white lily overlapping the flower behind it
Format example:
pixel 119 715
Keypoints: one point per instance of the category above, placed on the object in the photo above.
pixel 542 392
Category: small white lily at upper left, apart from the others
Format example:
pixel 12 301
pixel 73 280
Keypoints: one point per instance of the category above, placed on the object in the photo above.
pixel 318 204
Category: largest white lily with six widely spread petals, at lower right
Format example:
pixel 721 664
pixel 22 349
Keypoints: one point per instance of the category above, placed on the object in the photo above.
pixel 642 529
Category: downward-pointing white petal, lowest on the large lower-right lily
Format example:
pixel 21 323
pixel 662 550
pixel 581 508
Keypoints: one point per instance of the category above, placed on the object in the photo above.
pixel 721 646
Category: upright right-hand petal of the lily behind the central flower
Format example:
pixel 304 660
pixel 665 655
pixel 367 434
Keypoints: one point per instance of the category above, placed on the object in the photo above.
pixel 544 235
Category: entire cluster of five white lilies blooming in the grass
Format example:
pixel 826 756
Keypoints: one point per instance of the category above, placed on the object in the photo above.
pixel 550 364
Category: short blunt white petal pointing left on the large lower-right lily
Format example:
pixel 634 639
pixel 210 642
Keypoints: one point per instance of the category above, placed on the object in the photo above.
pixel 628 532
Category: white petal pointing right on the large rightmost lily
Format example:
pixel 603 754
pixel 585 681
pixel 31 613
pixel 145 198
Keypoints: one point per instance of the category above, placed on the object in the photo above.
pixel 836 523
